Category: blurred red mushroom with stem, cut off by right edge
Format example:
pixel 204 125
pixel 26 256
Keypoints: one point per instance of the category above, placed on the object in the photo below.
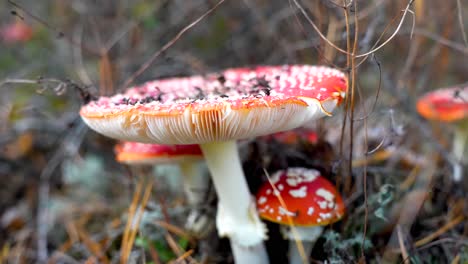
pixel 449 105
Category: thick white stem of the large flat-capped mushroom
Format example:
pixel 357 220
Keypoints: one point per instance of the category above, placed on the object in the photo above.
pixel 237 217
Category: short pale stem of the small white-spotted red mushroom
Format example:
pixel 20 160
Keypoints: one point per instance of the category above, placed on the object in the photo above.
pixel 304 235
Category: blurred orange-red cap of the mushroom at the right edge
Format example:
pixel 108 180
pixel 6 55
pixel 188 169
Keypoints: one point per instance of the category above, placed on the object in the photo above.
pixel 447 105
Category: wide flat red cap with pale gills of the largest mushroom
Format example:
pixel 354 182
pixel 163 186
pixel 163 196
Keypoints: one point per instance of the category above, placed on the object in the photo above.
pixel 234 104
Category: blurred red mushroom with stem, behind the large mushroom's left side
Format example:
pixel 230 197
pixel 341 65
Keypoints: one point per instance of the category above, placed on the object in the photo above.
pixel 188 158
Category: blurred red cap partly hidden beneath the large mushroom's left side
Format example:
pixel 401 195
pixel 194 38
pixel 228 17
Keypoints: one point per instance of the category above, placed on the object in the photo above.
pixel 141 153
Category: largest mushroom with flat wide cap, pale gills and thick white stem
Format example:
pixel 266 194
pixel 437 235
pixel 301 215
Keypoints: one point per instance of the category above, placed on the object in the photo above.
pixel 214 111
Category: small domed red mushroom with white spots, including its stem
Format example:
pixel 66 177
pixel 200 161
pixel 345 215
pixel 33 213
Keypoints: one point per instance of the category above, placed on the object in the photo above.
pixel 308 201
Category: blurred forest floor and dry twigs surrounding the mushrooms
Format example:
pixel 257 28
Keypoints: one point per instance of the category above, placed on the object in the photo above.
pixel 64 199
